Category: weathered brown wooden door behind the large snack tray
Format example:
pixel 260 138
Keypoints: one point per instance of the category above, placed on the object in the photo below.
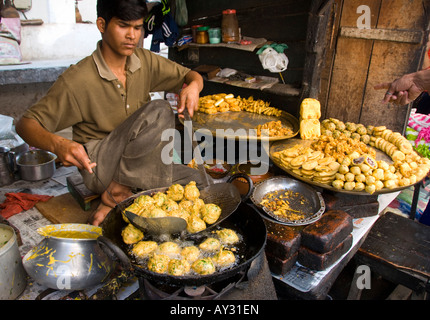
pixel 377 41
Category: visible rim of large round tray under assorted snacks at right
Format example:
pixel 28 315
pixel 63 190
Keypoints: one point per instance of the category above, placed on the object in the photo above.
pixel 282 145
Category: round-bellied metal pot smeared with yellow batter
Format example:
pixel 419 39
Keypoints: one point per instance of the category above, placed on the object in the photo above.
pixel 68 258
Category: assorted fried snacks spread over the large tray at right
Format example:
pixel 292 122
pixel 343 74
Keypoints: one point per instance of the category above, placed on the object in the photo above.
pixel 343 158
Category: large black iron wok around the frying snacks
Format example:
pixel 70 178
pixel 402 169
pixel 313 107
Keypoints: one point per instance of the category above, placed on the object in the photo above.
pixel 245 221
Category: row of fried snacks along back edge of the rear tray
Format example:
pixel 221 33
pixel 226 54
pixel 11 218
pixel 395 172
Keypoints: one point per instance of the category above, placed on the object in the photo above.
pixel 222 102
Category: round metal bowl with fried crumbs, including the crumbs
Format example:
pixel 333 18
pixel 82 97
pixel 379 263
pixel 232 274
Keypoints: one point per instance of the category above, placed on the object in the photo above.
pixel 288 201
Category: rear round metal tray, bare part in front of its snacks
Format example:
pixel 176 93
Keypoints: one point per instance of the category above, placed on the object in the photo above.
pixel 237 124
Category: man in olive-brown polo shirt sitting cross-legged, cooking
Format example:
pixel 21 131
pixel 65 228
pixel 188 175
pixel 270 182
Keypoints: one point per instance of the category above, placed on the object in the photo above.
pixel 106 99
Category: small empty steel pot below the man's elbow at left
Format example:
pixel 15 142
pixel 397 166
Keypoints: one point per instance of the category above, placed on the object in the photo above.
pixel 36 165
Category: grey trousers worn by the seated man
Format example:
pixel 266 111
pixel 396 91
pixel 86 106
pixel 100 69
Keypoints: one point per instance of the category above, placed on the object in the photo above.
pixel 131 154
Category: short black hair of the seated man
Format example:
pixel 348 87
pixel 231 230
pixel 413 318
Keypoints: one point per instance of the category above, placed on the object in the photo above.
pixel 126 10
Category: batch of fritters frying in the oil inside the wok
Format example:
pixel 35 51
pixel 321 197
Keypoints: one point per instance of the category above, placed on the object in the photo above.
pixel 215 252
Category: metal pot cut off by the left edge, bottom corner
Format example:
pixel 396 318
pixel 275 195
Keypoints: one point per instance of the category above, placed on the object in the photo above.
pixel 13 278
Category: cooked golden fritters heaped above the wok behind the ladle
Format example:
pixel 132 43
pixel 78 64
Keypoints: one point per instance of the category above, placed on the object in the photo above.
pixel 177 201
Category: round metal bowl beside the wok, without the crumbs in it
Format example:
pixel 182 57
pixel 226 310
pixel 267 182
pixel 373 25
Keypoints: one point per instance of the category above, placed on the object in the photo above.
pixel 300 196
